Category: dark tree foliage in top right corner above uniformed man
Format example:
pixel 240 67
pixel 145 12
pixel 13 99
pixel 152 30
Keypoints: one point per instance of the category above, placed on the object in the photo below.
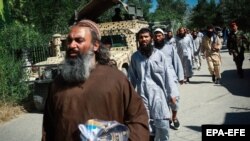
pixel 221 14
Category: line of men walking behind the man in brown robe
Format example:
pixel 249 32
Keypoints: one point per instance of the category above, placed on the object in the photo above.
pixel 162 63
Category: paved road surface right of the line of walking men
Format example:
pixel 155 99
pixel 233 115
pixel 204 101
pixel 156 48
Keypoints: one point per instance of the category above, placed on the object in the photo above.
pixel 203 102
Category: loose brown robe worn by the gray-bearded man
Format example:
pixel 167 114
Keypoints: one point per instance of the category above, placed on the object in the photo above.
pixel 106 95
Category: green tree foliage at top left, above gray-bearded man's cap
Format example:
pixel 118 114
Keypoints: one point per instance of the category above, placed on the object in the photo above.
pixel 48 16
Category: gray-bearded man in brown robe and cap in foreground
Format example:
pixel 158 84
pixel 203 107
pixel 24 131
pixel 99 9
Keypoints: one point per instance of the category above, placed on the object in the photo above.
pixel 88 88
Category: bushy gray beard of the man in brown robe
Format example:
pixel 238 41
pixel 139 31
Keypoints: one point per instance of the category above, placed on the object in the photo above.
pixel 78 69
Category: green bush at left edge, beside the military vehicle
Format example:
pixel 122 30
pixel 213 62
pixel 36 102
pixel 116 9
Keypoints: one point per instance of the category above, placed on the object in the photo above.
pixel 15 38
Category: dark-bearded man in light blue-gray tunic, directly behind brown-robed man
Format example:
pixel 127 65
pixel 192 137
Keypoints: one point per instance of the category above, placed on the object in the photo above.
pixel 149 71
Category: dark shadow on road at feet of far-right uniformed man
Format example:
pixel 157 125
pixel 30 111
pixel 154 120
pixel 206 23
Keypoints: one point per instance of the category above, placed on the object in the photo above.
pixel 234 84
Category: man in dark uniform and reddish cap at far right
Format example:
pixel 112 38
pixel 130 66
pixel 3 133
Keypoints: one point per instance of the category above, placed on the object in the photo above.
pixel 235 44
